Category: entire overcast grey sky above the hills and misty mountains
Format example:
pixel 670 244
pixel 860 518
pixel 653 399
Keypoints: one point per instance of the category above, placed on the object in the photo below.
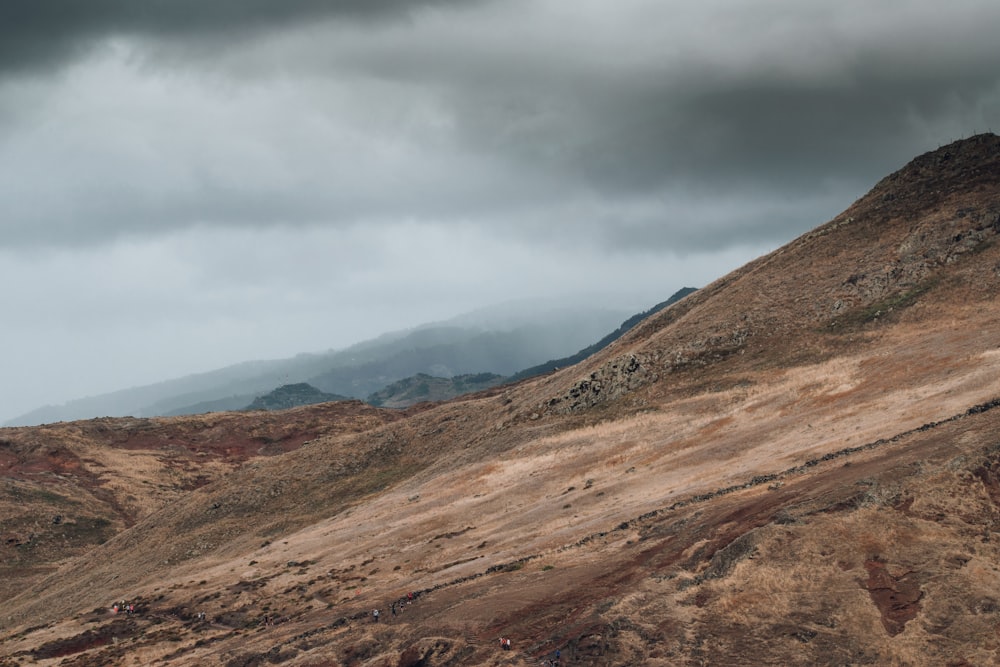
pixel 192 184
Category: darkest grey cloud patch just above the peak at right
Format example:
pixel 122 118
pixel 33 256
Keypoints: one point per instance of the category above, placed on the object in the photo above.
pixel 747 126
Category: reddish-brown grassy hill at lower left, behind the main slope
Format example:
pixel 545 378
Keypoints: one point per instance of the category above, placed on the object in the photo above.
pixel 70 486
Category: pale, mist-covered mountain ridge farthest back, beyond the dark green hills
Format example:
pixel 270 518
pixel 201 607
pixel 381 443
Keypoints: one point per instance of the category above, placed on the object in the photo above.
pixel 502 339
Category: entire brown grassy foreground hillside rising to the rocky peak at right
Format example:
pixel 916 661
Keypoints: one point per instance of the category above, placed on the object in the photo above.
pixel 797 464
